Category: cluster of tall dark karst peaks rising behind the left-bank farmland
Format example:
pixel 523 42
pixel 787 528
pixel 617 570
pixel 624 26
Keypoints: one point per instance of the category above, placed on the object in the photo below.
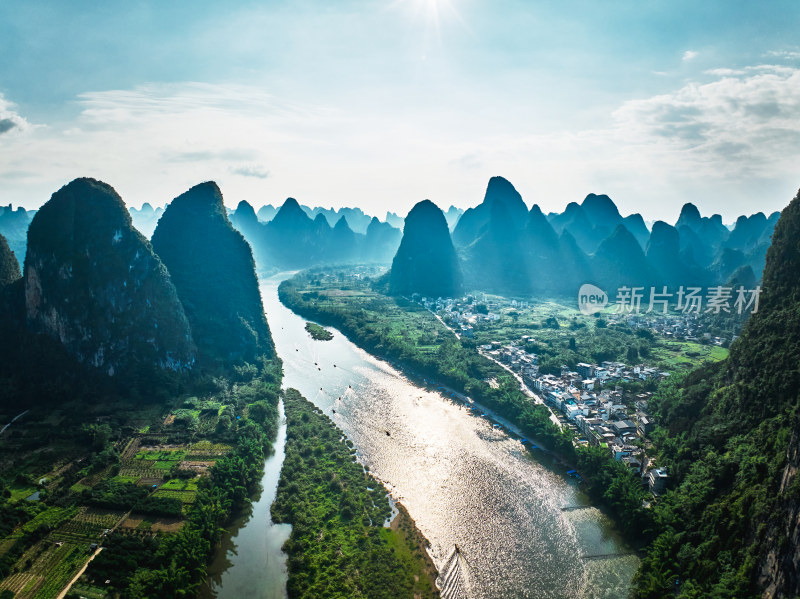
pixel 96 303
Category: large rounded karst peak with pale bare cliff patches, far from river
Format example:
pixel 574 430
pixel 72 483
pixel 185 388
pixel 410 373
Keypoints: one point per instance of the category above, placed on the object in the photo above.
pixel 93 283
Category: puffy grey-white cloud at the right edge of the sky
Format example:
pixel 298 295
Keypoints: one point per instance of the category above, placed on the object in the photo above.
pixel 745 121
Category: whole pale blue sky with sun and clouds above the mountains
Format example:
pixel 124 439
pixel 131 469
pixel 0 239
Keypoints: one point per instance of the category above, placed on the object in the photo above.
pixel 383 104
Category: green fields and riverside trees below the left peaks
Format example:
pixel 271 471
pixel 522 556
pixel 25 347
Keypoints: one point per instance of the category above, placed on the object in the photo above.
pixel 164 495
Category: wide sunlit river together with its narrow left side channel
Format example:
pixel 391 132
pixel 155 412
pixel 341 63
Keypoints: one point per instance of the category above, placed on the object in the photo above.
pixel 463 481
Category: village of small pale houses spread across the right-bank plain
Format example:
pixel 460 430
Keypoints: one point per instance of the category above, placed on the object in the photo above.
pixel 589 400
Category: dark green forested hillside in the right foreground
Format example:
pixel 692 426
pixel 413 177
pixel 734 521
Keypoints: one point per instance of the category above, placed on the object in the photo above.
pixel 729 439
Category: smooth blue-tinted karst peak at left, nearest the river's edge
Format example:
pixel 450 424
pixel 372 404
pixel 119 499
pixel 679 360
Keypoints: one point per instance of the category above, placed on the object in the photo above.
pixel 213 270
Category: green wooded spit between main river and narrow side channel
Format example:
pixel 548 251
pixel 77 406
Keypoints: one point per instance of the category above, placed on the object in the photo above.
pixel 338 545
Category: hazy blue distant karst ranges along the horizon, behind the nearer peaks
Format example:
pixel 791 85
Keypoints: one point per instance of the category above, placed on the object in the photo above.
pixel 501 245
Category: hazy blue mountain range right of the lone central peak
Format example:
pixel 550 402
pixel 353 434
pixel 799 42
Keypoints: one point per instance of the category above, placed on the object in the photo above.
pixel 505 247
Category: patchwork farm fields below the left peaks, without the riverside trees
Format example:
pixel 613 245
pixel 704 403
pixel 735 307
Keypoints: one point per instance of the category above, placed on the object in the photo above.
pixel 87 476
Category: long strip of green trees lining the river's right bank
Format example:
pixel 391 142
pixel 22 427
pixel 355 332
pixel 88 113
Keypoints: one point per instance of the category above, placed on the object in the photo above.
pixel 398 330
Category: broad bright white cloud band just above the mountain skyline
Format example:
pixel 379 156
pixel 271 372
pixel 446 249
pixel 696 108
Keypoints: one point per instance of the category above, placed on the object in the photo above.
pixel 720 143
